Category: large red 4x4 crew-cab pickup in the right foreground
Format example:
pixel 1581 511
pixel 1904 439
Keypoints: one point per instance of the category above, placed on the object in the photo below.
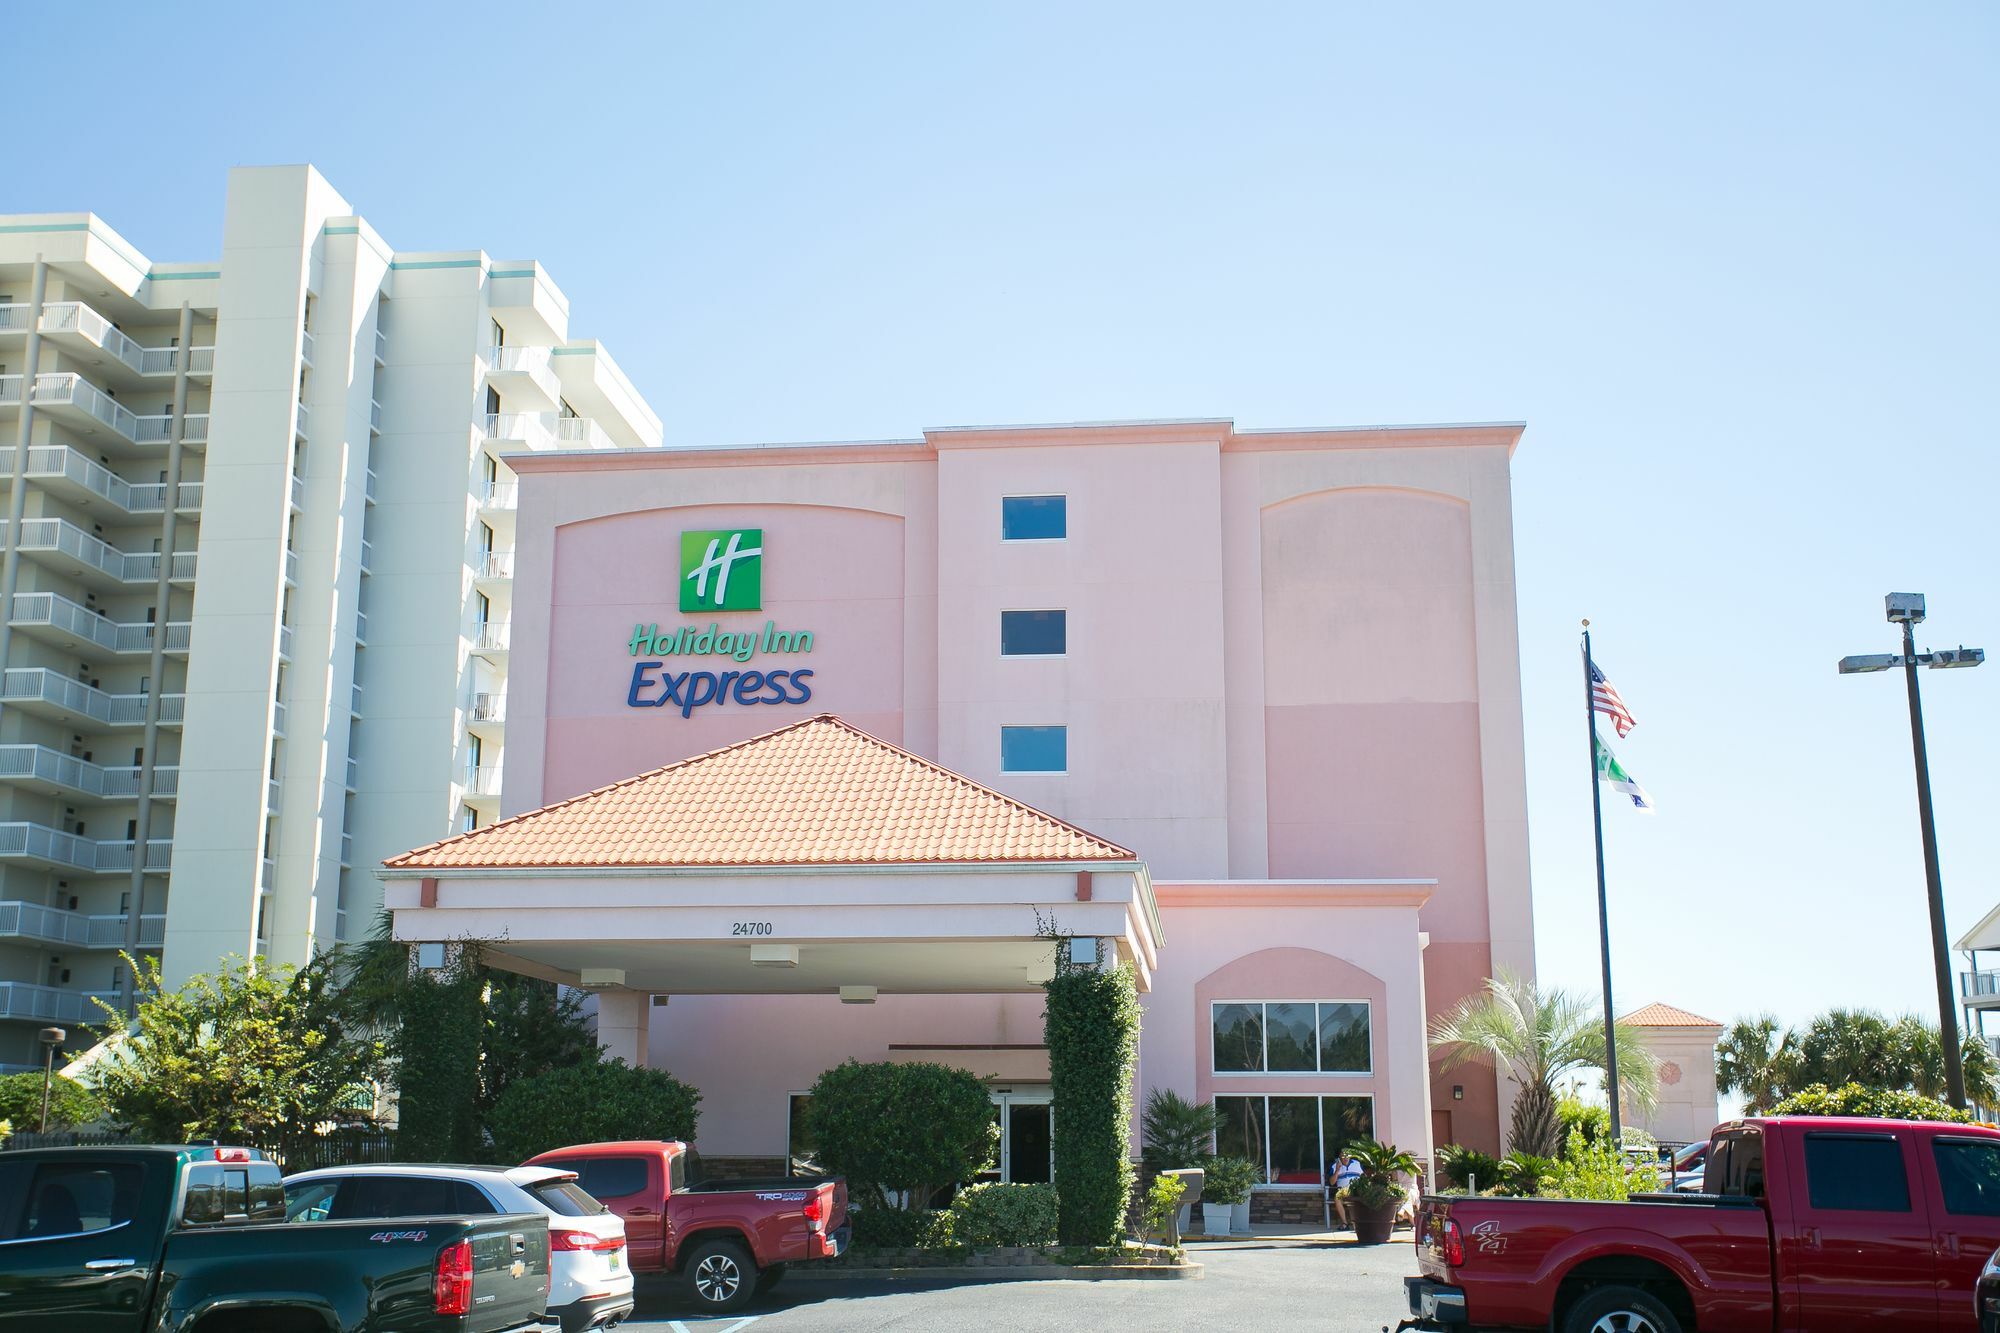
pixel 1803 1226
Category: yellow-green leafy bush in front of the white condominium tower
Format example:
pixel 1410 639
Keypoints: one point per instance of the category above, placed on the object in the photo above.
pixel 259 1056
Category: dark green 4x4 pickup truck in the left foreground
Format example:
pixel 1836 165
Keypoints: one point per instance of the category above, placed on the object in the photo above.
pixel 193 1240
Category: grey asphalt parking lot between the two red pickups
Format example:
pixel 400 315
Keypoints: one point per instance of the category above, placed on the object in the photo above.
pixel 1247 1286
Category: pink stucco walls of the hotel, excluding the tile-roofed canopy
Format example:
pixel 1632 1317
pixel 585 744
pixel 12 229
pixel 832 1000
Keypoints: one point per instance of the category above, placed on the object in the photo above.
pixel 1287 680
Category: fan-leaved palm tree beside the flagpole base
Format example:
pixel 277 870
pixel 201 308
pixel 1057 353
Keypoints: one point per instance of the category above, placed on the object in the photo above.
pixel 1539 1038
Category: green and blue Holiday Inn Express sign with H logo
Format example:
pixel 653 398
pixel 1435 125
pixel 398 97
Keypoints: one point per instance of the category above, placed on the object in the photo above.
pixel 725 573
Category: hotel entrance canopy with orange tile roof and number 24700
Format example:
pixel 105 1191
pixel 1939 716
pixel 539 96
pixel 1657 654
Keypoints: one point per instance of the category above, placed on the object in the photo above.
pixel 811 860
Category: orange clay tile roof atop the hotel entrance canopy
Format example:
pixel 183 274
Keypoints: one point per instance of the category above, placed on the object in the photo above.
pixel 813 794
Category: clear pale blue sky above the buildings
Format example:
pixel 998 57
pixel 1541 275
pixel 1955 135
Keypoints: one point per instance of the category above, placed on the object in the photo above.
pixel 1735 271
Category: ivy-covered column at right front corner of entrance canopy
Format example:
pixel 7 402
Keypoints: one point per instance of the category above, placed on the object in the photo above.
pixel 1091 1030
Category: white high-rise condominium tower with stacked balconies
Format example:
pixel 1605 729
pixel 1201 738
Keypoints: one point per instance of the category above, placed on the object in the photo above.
pixel 257 567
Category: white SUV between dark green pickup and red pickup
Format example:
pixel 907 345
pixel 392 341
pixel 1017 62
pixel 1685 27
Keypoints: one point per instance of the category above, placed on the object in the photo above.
pixel 591 1278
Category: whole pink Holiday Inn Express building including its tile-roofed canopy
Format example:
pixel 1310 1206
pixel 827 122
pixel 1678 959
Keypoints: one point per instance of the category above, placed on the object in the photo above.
pixel 1239 706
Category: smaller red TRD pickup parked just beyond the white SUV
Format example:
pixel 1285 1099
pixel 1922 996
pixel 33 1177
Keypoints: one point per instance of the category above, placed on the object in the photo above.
pixel 731 1240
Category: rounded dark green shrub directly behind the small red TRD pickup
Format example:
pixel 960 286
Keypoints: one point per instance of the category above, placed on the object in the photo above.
pixel 591 1104
